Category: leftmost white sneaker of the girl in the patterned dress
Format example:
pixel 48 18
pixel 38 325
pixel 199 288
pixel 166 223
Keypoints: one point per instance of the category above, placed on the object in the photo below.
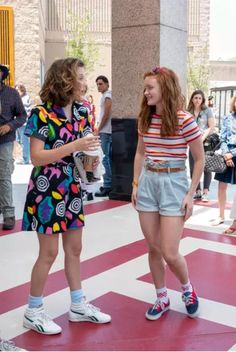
pixel 36 319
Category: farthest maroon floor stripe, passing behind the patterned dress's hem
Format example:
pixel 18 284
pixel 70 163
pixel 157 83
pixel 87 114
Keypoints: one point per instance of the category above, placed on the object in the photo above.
pixel 88 209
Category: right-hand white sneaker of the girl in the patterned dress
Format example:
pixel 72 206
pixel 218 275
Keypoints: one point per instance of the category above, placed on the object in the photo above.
pixel 84 311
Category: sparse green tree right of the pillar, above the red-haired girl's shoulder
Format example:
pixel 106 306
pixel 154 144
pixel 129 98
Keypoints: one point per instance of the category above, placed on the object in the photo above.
pixel 198 71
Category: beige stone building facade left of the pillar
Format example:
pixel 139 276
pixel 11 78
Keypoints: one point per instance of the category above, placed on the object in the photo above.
pixel 38 32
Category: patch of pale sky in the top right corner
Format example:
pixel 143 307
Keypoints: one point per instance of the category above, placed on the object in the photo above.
pixel 222 29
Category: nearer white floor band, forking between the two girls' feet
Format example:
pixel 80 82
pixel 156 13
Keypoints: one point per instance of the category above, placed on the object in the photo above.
pixel 123 280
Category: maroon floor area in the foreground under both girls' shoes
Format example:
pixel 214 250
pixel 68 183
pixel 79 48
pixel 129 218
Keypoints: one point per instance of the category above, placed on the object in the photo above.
pixel 130 331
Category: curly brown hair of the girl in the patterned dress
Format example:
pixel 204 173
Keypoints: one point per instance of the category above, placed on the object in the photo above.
pixel 61 81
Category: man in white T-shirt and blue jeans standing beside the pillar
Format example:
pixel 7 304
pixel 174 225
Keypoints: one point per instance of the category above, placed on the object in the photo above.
pixel 104 131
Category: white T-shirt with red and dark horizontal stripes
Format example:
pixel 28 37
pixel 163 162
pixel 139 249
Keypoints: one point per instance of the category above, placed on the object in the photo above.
pixel 170 148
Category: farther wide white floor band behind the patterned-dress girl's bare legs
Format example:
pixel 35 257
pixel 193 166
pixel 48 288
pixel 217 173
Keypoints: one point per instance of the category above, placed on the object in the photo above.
pixel 18 252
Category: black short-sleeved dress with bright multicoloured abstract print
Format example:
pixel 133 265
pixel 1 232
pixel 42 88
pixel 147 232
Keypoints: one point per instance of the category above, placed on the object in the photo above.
pixel 53 202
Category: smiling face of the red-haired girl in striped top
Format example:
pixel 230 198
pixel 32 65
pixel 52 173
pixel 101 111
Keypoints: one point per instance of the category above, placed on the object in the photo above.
pixel 152 92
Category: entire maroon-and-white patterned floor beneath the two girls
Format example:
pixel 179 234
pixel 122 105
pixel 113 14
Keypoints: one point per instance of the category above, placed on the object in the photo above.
pixel 116 278
